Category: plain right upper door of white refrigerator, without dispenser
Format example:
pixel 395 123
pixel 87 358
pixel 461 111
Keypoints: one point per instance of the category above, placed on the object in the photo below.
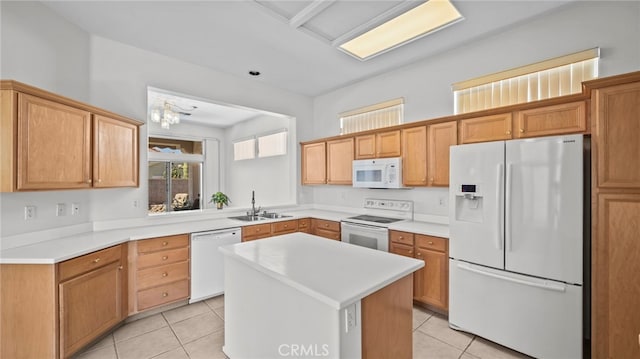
pixel 544 207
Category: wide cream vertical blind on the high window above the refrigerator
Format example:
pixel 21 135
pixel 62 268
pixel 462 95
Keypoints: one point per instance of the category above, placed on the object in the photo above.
pixel 547 79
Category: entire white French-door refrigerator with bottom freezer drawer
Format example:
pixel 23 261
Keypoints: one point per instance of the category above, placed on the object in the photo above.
pixel 516 244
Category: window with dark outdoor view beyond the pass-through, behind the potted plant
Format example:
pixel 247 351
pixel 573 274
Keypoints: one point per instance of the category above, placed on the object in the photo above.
pixel 175 175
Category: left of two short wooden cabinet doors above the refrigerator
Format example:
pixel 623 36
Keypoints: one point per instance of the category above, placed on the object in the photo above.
pixel 486 128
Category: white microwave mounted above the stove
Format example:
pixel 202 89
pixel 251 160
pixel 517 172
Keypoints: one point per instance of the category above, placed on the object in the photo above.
pixel 378 173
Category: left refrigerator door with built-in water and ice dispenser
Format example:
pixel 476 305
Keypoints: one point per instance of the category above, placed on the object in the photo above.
pixel 476 203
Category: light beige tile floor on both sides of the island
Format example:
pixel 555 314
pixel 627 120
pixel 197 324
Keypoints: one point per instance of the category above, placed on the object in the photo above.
pixel 197 331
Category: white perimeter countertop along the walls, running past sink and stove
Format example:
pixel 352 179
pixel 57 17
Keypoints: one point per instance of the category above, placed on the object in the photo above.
pixel 54 249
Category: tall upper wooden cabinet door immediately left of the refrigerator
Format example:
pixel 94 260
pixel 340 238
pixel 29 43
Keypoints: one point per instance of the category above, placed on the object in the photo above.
pixel 441 136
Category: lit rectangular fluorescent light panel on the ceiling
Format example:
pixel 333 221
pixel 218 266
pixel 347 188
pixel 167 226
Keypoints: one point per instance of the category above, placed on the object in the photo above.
pixel 411 25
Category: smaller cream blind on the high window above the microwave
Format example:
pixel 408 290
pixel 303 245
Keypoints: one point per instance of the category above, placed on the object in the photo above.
pixel 385 114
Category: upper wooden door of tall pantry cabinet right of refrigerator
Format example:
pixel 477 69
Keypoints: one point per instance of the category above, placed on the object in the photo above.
pixel 617 125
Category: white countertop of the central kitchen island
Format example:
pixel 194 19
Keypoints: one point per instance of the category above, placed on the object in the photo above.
pixel 333 272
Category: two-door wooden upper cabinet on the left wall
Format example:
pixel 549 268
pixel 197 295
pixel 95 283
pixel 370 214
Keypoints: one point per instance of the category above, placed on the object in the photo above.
pixel 49 142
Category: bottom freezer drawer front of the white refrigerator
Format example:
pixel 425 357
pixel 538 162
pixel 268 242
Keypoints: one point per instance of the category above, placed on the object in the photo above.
pixel 538 317
